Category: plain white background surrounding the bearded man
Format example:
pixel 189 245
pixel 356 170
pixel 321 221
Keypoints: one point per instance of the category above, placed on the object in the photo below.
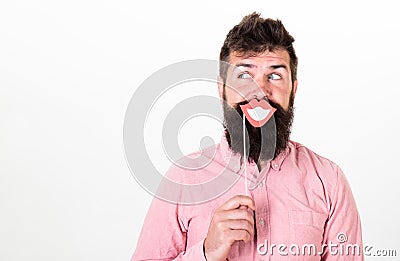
pixel 68 70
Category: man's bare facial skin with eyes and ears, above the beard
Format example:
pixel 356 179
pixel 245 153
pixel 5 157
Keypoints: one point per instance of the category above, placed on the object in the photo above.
pixel 264 75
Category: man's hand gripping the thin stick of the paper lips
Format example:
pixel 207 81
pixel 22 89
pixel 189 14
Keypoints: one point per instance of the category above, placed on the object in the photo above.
pixel 231 222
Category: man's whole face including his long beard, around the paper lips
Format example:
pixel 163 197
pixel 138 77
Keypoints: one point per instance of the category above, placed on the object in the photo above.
pixel 263 76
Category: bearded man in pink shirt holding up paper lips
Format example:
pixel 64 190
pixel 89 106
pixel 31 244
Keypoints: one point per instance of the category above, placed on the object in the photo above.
pixel 296 205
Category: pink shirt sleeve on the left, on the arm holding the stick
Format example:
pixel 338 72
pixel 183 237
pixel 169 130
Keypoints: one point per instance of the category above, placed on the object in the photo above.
pixel 164 232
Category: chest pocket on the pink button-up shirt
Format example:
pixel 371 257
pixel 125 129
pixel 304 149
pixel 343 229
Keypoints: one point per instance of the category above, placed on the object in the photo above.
pixel 306 233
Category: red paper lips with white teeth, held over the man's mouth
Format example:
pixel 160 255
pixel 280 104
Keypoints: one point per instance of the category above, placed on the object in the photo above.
pixel 258 112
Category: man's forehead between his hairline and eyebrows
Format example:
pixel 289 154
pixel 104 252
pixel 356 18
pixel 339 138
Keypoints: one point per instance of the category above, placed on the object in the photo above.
pixel 266 58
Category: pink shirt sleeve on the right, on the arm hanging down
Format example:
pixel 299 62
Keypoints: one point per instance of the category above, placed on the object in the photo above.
pixel 342 238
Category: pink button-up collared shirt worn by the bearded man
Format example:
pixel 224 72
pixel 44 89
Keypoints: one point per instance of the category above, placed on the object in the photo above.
pixel 304 208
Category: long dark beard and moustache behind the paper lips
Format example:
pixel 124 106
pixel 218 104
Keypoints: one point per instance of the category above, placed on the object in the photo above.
pixel 262 143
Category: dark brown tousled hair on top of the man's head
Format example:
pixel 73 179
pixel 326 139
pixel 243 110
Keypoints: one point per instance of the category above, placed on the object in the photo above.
pixel 254 35
